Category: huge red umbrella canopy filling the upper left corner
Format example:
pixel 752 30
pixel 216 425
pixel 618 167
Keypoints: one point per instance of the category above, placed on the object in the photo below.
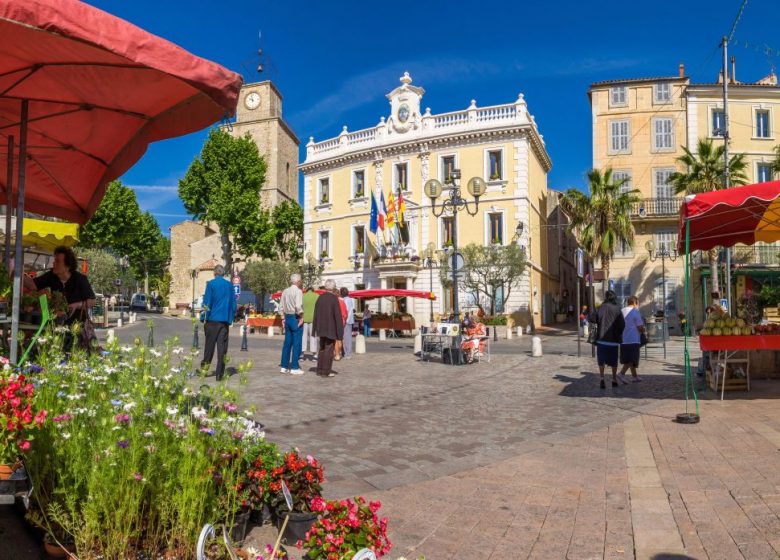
pixel 99 91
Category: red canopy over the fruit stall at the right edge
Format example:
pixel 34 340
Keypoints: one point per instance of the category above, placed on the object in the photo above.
pixel 730 216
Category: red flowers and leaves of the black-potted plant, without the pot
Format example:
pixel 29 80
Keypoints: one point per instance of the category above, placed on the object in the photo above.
pixel 303 478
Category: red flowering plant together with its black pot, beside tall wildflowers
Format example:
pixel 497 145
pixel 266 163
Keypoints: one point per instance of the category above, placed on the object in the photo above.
pixel 303 478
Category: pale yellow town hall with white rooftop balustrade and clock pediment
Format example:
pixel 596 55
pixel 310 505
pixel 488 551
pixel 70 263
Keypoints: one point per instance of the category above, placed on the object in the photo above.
pixel 425 145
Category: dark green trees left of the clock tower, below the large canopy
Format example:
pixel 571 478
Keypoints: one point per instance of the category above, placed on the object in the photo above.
pixel 120 227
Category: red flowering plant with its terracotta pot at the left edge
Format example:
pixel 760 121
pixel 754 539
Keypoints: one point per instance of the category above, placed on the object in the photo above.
pixel 17 420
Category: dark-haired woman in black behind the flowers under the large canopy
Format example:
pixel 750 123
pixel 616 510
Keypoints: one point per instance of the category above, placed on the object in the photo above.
pixel 63 277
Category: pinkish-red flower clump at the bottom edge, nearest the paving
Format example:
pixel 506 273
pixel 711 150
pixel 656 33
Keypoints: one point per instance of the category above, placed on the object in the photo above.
pixel 345 527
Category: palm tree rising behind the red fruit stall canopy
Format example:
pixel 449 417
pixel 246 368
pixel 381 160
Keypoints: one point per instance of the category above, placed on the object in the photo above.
pixel 705 173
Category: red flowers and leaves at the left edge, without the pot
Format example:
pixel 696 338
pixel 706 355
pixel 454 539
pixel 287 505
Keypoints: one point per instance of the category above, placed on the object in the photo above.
pixel 17 418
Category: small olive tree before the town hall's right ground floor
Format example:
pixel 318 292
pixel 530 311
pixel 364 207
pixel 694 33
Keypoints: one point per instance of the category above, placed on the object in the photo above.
pixel 490 269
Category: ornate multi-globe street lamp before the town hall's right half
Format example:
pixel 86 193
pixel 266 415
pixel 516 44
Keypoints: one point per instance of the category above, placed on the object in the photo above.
pixel 453 203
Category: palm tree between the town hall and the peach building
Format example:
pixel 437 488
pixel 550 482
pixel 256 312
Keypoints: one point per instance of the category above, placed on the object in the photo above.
pixel 601 220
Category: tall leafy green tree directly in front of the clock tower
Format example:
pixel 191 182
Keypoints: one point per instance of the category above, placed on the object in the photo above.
pixel 223 186
